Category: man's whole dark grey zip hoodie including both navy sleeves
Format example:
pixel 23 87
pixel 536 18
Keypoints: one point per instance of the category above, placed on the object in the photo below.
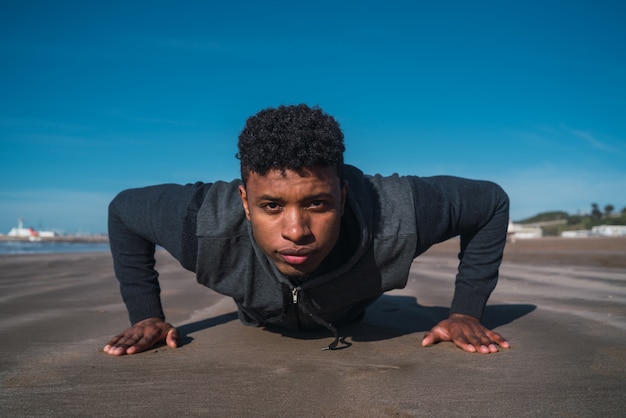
pixel 388 221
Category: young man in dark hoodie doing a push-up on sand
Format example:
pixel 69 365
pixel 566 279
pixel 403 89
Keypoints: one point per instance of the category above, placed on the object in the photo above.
pixel 304 241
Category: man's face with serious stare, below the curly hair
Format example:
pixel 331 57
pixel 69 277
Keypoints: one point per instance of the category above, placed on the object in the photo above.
pixel 295 219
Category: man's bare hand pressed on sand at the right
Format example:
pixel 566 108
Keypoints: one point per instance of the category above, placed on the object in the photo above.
pixel 467 333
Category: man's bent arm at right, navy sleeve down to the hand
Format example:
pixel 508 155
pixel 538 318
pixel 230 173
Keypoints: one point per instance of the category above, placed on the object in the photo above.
pixel 476 211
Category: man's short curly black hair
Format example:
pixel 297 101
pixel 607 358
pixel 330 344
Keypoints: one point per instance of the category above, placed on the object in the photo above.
pixel 292 137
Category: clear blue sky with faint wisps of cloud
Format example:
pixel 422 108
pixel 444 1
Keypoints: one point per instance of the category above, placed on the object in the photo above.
pixel 97 97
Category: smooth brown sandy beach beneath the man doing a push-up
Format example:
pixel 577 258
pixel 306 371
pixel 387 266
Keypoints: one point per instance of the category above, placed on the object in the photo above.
pixel 560 302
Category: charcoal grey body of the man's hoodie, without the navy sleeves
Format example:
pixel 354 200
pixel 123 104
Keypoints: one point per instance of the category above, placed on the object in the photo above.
pixel 379 256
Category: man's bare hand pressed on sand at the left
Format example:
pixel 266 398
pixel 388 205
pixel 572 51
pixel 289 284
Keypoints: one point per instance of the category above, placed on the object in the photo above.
pixel 142 336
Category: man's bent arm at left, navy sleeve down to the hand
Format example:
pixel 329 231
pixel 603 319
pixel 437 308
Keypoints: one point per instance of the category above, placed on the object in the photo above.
pixel 140 219
